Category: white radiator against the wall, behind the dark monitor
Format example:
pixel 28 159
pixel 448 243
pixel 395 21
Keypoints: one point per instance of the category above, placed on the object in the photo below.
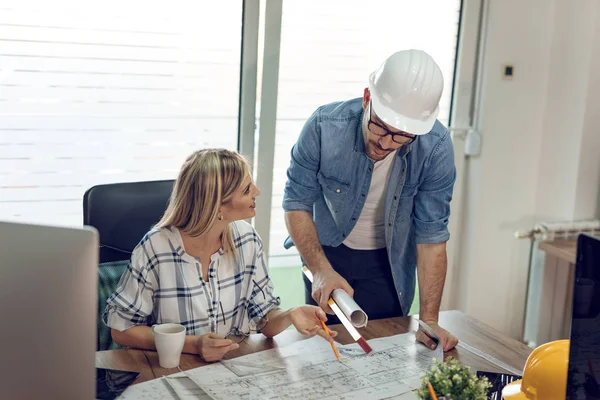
pixel 546 231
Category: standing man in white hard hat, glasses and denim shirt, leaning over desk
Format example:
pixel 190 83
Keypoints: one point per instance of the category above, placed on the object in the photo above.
pixel 367 199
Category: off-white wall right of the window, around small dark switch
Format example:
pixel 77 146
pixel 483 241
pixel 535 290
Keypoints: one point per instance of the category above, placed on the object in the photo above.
pixel 540 146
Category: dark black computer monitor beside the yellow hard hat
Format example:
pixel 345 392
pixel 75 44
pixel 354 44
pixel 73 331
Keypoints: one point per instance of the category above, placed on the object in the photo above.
pixel 584 350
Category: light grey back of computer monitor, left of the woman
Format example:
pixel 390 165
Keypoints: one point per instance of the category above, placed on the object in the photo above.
pixel 48 307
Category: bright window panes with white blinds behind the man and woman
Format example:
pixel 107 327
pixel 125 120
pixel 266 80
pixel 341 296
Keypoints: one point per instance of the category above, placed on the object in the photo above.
pixel 94 93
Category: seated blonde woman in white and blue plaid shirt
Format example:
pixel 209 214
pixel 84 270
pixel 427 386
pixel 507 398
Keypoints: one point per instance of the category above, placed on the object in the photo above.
pixel 202 266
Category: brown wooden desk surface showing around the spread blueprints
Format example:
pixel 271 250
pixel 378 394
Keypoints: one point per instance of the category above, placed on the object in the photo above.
pixel 465 328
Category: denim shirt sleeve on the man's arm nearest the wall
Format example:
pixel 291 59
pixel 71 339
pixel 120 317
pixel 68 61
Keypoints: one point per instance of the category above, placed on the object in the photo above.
pixel 432 201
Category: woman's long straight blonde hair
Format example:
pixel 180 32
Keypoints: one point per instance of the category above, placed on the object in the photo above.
pixel 208 179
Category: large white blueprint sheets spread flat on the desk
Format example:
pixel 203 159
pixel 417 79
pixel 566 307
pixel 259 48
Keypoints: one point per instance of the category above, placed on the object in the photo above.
pixel 304 370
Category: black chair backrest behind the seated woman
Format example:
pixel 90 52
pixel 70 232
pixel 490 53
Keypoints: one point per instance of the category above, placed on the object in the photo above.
pixel 123 212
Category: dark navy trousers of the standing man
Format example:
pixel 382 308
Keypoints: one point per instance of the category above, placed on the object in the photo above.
pixel 370 275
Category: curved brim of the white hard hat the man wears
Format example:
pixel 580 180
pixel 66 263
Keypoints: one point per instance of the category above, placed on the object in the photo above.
pixel 397 120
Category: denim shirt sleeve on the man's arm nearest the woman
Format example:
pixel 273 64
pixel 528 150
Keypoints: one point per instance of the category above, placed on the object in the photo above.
pixel 302 188
